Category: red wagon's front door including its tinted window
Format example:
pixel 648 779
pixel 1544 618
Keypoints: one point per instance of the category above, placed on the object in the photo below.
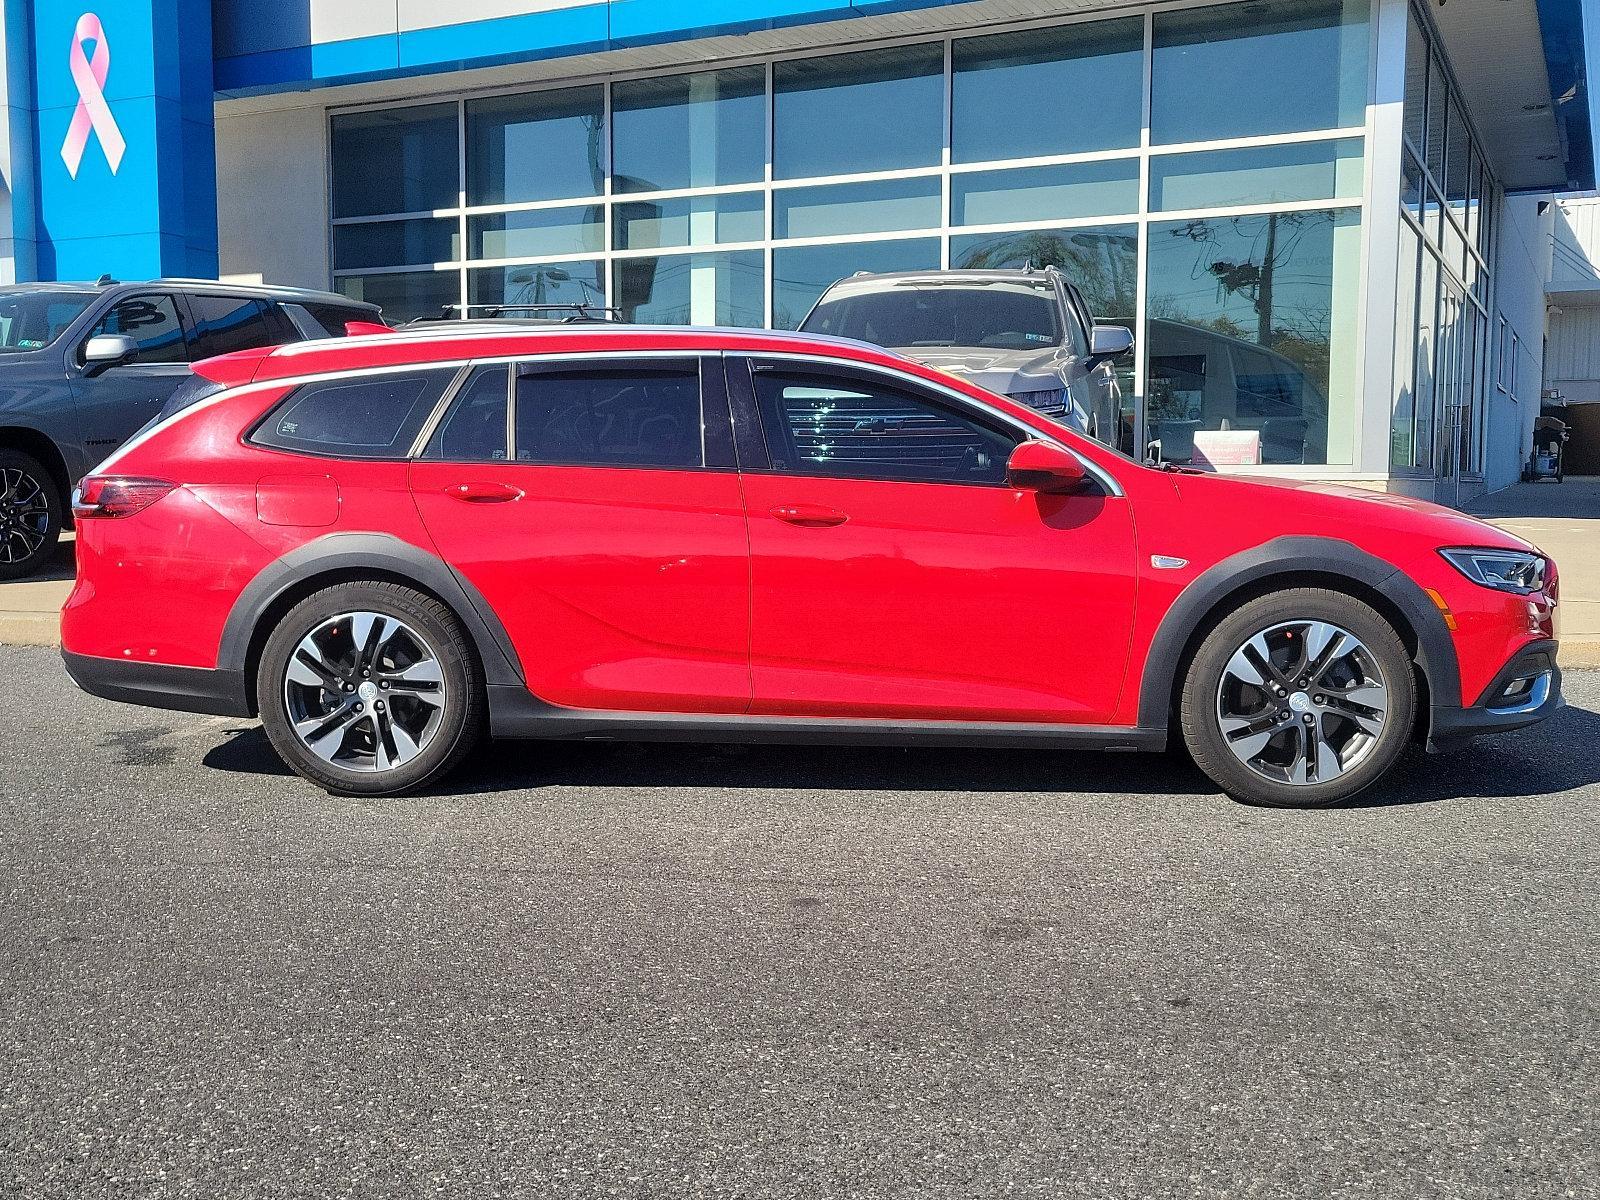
pixel 895 574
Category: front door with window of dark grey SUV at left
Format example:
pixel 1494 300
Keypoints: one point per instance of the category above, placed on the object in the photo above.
pixel 114 404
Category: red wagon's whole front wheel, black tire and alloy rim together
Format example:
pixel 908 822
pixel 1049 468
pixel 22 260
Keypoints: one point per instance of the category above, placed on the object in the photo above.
pixel 1300 700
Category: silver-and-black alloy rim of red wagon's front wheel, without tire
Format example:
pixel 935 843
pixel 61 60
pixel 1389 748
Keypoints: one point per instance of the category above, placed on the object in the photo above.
pixel 1303 703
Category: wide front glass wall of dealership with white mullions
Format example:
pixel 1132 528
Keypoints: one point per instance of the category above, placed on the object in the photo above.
pixel 738 196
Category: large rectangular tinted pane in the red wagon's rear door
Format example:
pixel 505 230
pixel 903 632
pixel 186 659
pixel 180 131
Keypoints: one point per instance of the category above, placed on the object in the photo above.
pixel 610 417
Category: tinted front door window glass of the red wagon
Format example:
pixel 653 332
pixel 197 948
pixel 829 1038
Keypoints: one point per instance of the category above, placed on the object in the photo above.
pixel 849 426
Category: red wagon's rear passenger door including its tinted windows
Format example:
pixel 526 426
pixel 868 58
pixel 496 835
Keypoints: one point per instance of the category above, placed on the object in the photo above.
pixel 604 524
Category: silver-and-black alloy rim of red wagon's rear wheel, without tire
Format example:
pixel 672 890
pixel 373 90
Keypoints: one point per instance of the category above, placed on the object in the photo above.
pixel 366 692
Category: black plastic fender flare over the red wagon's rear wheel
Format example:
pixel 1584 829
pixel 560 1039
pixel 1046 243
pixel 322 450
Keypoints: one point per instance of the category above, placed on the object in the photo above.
pixel 382 553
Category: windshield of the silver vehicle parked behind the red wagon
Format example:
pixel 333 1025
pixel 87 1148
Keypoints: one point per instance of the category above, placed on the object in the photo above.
pixel 994 316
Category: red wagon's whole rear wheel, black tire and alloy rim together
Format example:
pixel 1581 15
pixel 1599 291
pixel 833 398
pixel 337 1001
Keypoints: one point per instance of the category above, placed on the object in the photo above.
pixel 370 689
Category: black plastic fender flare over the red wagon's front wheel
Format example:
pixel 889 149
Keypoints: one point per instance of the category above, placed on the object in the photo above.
pixel 1436 652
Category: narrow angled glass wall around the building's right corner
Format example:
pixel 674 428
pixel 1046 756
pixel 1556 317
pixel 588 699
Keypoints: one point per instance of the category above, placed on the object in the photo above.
pixel 1444 290
